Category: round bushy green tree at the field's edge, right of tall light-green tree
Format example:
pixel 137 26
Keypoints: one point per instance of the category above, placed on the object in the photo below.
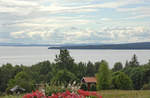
pixel 121 81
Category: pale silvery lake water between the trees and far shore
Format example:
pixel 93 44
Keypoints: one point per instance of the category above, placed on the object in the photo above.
pixel 32 55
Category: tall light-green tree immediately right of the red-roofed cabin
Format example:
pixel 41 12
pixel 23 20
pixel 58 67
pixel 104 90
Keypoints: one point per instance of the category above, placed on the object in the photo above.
pixel 103 76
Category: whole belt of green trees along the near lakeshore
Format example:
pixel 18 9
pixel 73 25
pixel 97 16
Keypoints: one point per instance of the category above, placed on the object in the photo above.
pixel 65 70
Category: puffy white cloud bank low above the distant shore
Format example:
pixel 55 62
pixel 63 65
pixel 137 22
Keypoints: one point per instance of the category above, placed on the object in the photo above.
pixel 76 35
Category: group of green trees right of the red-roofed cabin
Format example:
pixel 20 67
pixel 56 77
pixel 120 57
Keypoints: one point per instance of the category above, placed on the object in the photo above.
pixel 132 76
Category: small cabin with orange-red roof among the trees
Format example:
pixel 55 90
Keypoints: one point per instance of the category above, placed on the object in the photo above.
pixel 89 81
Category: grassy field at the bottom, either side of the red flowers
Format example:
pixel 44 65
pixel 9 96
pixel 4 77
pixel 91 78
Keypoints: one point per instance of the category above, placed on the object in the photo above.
pixel 114 94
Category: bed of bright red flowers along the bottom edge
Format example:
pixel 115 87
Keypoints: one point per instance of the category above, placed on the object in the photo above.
pixel 67 94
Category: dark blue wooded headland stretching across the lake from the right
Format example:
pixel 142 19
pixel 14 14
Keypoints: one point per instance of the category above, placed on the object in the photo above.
pixel 126 46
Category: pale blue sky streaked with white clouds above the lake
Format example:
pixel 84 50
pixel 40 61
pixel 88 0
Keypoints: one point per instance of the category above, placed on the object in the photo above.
pixel 74 21
